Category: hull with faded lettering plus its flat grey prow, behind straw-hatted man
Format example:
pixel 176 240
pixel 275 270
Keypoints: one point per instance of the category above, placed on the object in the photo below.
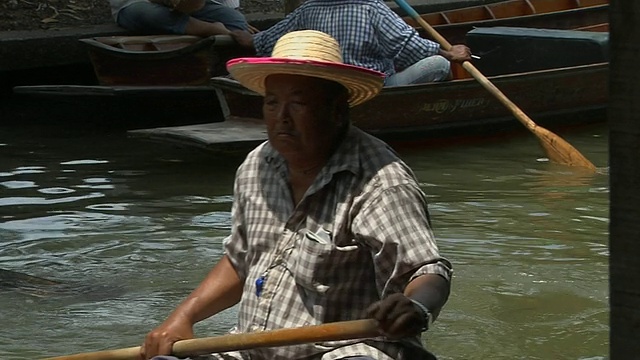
pixel 422 115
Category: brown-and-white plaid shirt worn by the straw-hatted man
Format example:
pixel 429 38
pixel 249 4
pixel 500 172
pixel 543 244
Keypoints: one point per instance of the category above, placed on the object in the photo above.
pixel 373 238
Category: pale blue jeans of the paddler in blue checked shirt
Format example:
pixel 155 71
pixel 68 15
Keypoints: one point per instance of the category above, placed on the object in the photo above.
pixel 433 68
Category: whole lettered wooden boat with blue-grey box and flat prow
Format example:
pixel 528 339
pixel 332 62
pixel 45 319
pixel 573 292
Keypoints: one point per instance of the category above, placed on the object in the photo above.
pixel 557 77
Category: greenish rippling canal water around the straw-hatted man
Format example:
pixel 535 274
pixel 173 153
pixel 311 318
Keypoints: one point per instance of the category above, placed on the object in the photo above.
pixel 129 228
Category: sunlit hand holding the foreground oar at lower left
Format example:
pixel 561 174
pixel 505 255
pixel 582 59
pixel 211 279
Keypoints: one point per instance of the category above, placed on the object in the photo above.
pixel 160 340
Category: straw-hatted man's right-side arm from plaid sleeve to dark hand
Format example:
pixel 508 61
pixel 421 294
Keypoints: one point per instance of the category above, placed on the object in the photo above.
pixel 412 278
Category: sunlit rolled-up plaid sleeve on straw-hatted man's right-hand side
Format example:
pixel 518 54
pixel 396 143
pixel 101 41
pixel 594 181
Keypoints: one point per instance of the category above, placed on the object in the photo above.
pixel 395 226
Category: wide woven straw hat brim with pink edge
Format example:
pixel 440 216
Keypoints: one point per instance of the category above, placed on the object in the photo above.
pixel 362 84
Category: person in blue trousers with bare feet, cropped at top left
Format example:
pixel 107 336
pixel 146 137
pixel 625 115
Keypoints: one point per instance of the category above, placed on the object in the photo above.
pixel 191 17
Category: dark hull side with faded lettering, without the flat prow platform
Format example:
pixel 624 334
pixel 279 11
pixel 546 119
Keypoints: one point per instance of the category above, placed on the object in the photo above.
pixel 461 107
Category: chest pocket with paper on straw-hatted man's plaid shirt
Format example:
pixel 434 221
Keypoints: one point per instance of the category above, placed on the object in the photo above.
pixel 317 262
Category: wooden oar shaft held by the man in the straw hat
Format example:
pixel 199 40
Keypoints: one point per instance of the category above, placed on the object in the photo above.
pixel 343 330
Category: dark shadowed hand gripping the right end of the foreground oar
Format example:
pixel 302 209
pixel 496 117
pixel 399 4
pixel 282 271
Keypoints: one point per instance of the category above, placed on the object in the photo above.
pixel 397 316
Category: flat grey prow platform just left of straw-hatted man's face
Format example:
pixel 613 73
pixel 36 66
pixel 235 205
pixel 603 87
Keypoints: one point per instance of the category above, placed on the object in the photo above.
pixel 234 134
